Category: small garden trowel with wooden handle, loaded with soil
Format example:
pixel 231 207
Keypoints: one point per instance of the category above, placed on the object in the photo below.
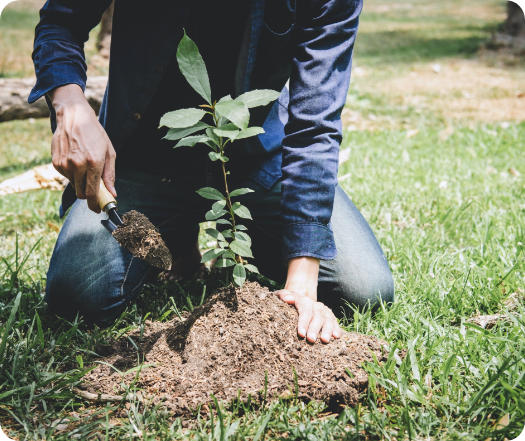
pixel 134 232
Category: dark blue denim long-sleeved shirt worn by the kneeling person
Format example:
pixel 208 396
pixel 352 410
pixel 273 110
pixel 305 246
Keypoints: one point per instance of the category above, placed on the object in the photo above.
pixel 306 42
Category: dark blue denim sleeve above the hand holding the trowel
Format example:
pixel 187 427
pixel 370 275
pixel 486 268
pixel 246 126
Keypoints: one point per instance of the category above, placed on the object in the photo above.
pixel 60 35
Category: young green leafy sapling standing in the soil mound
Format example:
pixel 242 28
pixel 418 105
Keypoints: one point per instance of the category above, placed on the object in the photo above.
pixel 228 121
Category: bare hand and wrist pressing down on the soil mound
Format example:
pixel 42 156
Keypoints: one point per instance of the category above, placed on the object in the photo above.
pixel 301 291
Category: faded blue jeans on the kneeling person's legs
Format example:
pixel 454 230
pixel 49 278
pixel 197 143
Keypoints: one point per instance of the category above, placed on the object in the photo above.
pixel 91 274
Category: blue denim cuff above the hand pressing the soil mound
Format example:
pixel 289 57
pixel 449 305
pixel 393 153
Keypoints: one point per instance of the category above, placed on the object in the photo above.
pixel 308 240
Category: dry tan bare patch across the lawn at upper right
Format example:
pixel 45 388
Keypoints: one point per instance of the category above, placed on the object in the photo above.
pixel 451 89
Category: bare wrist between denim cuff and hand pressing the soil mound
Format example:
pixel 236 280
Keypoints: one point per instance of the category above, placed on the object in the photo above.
pixel 302 277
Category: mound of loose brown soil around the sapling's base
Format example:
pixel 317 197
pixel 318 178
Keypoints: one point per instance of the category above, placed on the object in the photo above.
pixel 242 343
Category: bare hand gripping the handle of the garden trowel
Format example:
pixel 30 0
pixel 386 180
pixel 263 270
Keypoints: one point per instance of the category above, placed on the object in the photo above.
pixel 80 148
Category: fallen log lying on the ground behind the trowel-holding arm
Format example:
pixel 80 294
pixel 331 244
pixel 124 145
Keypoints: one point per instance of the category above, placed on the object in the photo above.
pixel 14 93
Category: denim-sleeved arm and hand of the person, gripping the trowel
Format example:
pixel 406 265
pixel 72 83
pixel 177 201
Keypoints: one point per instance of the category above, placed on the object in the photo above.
pixel 80 148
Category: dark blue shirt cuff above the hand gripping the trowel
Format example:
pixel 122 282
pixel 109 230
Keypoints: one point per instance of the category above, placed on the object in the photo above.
pixel 55 76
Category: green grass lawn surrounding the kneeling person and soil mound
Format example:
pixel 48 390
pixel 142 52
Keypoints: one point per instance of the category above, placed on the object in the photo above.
pixel 447 206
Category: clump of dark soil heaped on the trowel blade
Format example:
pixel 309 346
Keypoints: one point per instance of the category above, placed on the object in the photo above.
pixel 142 239
